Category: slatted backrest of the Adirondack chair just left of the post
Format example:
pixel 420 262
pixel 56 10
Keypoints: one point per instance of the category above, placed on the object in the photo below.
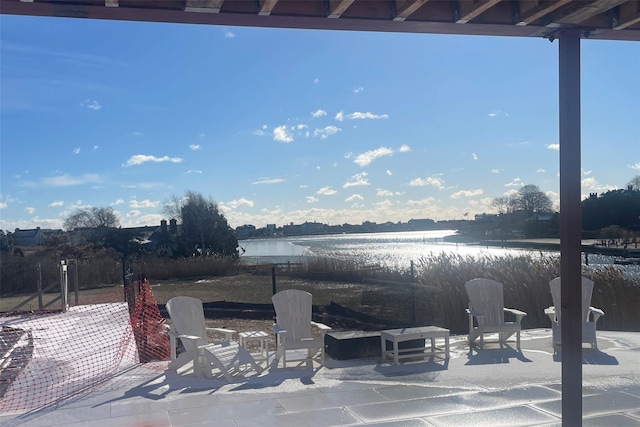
pixel 486 297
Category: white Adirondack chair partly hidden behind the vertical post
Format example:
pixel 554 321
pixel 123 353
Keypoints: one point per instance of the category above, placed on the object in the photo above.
pixel 590 315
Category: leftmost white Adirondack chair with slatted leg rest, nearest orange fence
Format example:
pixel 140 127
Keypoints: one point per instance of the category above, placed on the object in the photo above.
pixel 187 323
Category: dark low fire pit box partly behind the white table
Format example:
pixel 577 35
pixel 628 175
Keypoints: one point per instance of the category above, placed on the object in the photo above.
pixel 360 344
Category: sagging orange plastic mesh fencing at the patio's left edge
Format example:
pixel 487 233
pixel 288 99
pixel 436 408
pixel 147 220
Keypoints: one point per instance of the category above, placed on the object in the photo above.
pixel 47 357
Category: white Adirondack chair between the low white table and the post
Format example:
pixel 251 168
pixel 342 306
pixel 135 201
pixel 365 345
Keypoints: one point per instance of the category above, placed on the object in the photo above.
pixel 486 305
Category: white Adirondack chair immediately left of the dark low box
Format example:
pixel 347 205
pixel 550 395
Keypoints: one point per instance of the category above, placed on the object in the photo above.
pixel 293 327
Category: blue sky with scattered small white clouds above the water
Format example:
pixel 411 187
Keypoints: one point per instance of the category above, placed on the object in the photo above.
pixel 281 126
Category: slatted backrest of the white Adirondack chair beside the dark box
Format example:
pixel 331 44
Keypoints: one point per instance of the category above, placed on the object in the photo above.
pixel 293 313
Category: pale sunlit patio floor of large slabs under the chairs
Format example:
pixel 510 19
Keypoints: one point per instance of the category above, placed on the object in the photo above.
pixel 494 386
